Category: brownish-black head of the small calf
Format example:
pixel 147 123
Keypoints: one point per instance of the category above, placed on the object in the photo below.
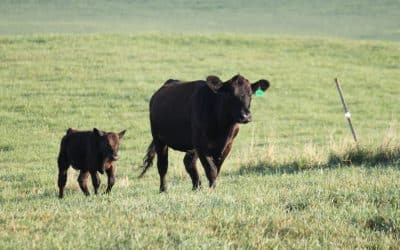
pixel 108 143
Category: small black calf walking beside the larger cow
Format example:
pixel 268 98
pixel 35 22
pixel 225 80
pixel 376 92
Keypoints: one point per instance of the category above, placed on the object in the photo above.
pixel 90 152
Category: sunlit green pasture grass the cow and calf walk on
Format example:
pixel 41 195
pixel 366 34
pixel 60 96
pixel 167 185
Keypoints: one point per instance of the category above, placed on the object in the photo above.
pixel 51 82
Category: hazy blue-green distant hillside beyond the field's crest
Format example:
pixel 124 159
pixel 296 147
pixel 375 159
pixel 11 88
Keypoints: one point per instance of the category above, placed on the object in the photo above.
pixel 351 19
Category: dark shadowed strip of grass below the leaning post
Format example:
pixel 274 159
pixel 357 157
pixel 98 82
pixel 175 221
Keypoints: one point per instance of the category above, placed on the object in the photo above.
pixel 357 156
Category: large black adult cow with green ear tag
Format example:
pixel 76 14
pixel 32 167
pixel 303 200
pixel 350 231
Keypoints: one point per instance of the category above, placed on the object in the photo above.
pixel 200 118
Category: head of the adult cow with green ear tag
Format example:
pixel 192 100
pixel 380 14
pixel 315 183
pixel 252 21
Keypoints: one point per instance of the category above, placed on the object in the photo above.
pixel 236 95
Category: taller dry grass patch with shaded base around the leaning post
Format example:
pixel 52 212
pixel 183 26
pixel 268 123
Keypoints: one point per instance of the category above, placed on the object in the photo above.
pixel 344 153
